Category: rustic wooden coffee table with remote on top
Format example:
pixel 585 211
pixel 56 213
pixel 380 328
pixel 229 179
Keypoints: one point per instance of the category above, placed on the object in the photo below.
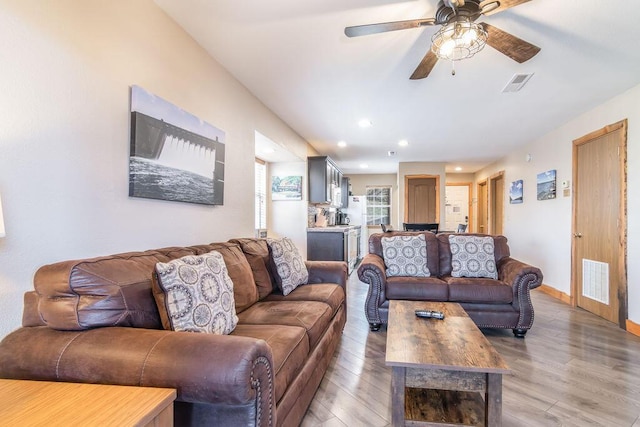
pixel 445 372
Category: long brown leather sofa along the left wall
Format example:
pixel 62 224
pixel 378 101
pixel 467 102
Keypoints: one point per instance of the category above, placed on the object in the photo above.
pixel 96 321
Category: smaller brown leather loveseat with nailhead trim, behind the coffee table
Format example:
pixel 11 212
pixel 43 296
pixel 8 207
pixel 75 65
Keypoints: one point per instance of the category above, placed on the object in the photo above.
pixel 503 303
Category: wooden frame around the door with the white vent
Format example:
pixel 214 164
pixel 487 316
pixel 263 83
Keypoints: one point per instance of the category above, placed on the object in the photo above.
pixel 622 219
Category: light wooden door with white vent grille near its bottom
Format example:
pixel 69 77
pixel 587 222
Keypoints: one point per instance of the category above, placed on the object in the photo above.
pixel 599 223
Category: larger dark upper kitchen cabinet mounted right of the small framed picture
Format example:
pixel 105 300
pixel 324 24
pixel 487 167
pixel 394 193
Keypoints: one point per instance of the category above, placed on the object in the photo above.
pixel 325 181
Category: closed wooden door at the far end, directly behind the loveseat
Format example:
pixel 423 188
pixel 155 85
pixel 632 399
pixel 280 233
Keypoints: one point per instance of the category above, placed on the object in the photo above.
pixel 422 199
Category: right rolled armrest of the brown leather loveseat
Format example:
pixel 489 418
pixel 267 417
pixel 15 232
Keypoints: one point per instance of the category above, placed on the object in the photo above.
pixel 522 278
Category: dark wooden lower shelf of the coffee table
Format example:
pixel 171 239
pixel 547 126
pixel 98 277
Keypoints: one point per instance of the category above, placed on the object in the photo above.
pixel 428 407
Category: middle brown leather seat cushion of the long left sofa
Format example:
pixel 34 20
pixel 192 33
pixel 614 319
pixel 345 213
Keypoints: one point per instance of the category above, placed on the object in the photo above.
pixel 313 316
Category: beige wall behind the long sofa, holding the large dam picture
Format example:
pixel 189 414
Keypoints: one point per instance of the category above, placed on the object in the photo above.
pixel 64 135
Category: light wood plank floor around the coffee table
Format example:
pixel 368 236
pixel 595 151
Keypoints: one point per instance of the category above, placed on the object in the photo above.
pixel 572 369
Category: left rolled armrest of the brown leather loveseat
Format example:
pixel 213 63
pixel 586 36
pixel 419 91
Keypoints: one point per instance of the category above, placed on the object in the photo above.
pixel 372 271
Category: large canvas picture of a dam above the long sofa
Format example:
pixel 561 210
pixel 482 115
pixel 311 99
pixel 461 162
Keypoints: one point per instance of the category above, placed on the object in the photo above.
pixel 174 155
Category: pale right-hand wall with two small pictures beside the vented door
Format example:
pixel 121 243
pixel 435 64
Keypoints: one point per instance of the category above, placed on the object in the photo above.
pixel 539 232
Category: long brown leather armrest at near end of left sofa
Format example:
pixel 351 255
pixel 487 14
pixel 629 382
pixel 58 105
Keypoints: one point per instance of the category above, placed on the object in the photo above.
pixel 205 368
